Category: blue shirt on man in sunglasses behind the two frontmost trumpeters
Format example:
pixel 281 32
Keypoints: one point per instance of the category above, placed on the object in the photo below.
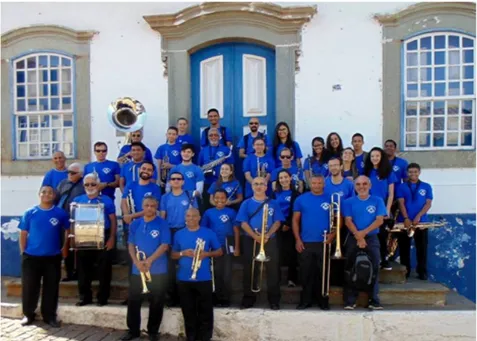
pixel 176 207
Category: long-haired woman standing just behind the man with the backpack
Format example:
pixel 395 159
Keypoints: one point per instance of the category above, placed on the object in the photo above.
pixel 378 169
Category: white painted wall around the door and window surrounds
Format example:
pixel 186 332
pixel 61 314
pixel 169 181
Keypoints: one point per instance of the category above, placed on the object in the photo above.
pixel 342 45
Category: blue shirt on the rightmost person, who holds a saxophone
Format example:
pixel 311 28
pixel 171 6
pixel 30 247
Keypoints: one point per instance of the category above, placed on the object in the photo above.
pixel 415 197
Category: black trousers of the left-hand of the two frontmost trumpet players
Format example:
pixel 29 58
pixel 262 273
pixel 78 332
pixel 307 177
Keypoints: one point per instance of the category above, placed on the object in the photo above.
pixel 157 288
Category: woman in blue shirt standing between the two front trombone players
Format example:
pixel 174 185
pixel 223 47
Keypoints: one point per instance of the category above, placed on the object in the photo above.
pixel 285 194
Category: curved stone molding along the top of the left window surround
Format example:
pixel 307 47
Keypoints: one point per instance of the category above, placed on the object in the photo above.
pixel 45 31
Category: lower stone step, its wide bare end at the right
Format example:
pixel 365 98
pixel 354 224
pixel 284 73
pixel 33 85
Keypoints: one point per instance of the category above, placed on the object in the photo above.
pixel 413 292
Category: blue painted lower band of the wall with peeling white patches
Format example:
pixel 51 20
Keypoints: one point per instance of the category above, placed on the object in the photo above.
pixel 451 252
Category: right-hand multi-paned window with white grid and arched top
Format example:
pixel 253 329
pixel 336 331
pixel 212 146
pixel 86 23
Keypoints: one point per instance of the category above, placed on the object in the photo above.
pixel 439 92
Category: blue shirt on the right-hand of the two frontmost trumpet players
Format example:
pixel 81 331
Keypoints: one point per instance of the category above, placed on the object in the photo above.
pixel 186 239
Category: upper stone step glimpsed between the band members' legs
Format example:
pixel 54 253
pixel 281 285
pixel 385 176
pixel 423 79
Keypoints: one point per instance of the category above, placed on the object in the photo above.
pixel 395 276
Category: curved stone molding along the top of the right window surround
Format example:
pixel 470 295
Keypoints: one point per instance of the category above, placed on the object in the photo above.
pixel 427 8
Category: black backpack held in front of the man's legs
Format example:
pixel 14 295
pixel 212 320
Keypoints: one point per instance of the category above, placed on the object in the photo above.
pixel 362 275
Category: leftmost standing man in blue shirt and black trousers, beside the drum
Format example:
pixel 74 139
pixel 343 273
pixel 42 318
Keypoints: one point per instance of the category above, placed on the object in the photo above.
pixel 41 250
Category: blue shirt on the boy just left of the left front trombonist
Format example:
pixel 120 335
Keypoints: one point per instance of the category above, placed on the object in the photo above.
pixel 220 221
